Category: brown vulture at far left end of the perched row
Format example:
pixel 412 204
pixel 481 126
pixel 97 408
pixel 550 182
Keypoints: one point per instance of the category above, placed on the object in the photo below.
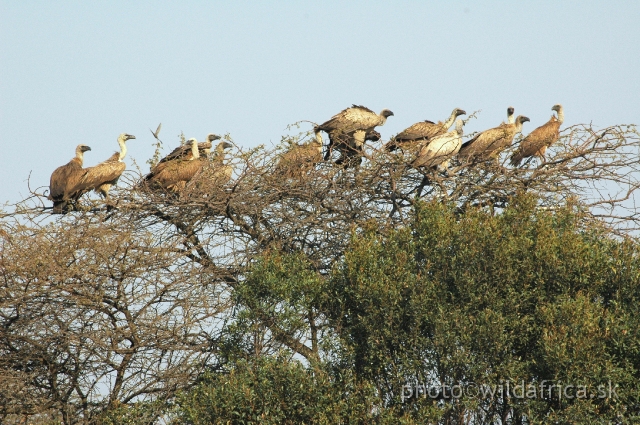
pixel 64 178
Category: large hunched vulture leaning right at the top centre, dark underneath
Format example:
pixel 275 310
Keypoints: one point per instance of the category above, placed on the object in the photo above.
pixel 349 129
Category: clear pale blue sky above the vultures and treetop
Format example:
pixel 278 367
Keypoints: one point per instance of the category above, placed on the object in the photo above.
pixel 83 72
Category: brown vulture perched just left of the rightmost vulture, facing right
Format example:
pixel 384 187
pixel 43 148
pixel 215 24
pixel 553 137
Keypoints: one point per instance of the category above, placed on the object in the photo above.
pixel 488 144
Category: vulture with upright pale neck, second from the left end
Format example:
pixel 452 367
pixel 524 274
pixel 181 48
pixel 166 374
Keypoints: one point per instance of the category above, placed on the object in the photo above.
pixel 106 174
